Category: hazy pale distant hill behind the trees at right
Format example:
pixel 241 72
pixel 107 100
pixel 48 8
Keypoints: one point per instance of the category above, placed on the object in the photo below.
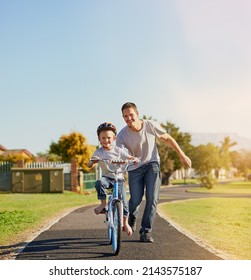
pixel 216 138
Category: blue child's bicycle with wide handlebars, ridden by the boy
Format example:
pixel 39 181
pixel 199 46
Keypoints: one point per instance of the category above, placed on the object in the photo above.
pixel 114 211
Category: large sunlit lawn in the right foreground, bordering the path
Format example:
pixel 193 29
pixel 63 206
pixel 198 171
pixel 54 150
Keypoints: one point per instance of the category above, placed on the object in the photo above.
pixel 224 223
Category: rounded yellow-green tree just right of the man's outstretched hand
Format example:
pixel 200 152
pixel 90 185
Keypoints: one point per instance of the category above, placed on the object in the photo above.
pixel 205 158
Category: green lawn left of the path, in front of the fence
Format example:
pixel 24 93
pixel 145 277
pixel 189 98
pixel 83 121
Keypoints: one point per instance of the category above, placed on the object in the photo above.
pixel 21 213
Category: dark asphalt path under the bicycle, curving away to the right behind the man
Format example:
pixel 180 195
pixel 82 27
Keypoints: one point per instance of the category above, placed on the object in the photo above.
pixel 82 235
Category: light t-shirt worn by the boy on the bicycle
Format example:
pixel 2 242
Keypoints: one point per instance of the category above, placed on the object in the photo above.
pixel 113 154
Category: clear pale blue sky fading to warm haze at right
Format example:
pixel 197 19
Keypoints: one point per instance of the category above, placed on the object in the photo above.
pixel 70 65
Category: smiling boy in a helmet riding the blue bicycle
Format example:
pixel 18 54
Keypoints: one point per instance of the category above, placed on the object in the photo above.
pixel 107 135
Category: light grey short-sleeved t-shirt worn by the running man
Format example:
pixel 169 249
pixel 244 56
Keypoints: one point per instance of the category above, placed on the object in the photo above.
pixel 141 144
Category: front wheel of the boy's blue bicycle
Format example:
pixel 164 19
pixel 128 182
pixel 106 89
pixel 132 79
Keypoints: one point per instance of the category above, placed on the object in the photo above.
pixel 117 230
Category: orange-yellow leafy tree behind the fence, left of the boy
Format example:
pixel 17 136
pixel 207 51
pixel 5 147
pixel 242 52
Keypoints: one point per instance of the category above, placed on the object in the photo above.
pixel 73 145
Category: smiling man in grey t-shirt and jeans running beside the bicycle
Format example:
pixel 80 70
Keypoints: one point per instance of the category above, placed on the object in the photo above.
pixel 139 138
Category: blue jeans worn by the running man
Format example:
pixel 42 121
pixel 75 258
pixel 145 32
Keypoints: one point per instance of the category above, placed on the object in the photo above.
pixel 145 179
